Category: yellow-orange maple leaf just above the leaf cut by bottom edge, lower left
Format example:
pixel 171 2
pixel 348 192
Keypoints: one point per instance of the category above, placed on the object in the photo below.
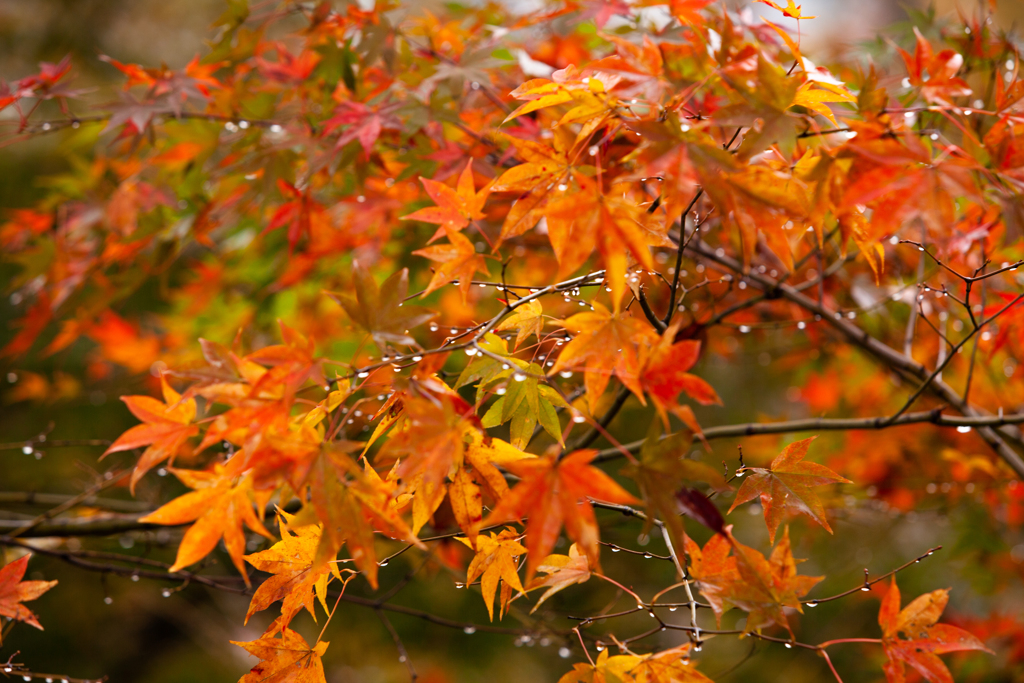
pixel 296 577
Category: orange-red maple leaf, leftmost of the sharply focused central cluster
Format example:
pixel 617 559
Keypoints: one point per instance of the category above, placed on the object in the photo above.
pixel 167 428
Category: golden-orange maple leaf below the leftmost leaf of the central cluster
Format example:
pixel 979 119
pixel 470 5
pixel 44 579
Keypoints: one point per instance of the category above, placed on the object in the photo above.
pixel 220 505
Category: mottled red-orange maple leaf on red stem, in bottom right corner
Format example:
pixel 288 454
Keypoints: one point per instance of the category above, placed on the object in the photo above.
pixel 924 638
